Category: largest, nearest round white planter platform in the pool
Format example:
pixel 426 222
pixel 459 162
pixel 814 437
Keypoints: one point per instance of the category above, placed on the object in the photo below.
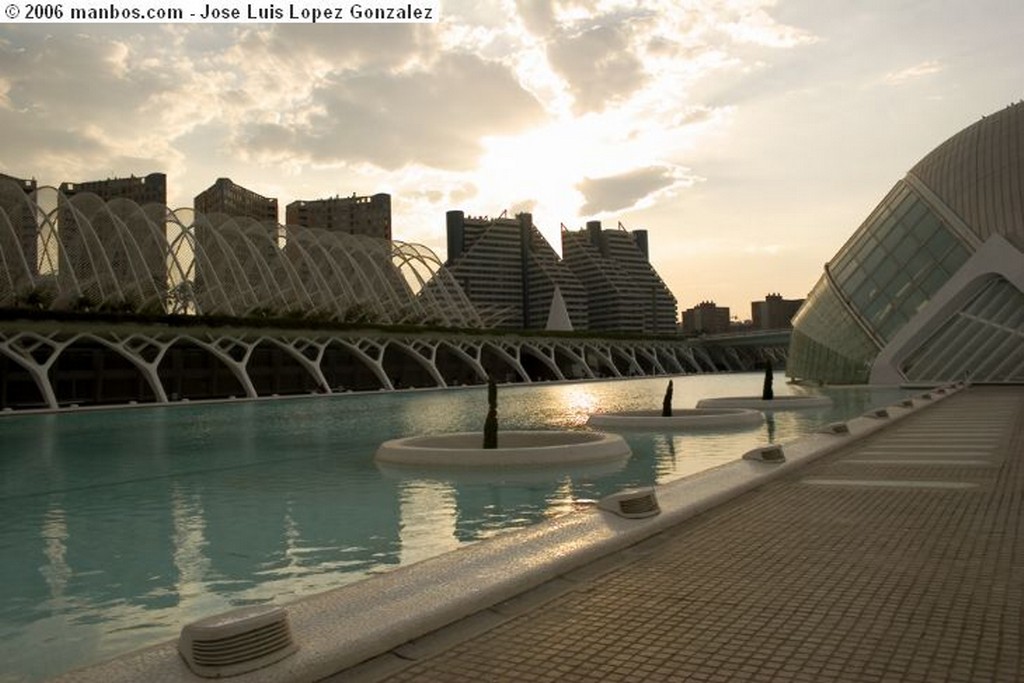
pixel 528 449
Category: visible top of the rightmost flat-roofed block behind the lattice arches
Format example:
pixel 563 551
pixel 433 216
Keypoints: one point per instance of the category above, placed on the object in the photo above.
pixel 356 216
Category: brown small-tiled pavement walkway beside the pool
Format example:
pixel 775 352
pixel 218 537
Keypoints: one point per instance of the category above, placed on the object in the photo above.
pixel 900 559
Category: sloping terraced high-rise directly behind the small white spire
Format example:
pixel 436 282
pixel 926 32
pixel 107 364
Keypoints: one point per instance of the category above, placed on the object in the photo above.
pixel 509 271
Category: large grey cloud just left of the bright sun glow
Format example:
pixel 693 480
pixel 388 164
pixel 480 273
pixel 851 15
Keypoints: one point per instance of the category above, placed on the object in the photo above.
pixel 435 117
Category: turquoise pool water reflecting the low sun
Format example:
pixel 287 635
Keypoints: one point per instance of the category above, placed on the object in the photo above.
pixel 119 527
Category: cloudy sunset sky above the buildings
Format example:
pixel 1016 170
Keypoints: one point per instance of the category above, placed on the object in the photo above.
pixel 750 138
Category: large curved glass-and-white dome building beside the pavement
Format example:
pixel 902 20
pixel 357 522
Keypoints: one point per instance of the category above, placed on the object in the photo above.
pixel 931 287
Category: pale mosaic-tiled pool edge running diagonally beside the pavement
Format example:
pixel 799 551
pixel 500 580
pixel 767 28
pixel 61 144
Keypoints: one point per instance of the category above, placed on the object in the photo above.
pixel 349 626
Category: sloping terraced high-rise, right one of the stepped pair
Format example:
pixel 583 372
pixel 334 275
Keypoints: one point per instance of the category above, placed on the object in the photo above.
pixel 624 291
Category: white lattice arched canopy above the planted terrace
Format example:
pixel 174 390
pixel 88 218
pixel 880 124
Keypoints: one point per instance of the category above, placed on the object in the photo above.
pixel 87 254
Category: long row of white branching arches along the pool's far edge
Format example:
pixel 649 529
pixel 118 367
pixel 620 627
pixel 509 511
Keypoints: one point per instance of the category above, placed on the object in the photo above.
pixel 53 365
